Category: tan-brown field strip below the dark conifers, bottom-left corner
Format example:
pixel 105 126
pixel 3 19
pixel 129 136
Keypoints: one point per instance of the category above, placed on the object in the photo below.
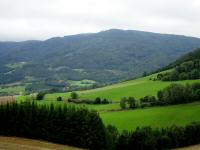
pixel 15 143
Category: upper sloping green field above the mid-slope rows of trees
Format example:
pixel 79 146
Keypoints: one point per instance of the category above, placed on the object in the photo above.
pixel 137 88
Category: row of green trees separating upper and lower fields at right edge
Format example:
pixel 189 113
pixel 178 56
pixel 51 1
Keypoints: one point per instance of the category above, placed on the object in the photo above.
pixel 172 94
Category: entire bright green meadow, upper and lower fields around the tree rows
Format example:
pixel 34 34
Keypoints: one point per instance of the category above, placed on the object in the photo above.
pixel 130 119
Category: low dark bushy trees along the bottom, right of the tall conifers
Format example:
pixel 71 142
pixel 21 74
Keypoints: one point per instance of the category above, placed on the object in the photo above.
pixel 155 139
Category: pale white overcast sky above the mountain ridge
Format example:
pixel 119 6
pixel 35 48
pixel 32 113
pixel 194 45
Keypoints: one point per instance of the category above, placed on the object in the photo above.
pixel 42 19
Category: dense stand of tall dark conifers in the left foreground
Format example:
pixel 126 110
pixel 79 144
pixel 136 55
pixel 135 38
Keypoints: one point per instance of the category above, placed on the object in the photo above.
pixel 61 124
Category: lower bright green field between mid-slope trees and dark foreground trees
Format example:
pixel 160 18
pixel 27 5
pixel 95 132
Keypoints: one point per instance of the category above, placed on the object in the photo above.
pixel 155 117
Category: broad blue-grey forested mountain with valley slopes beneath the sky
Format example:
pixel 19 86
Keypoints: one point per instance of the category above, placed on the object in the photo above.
pixel 104 57
